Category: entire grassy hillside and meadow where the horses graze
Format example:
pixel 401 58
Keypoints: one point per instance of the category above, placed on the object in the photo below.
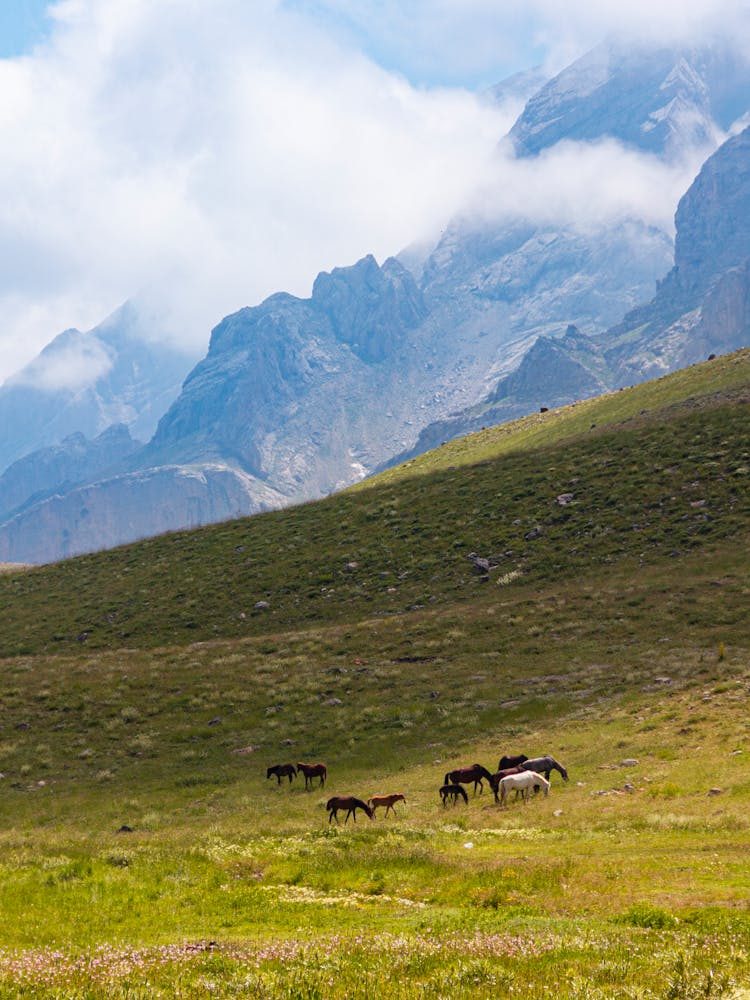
pixel 150 687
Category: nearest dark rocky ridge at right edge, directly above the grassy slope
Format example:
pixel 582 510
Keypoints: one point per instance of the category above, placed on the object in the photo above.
pixel 700 308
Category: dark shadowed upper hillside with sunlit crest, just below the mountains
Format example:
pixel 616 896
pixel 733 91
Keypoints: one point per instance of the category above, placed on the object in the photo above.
pixel 656 469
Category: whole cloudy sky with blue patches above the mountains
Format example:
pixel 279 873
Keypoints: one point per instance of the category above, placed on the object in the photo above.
pixel 201 155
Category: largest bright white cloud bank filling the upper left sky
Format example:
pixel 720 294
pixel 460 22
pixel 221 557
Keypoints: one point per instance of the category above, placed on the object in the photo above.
pixel 203 156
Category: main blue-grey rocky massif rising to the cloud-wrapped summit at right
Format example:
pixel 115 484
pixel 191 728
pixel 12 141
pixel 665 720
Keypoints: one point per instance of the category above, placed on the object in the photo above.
pixel 506 313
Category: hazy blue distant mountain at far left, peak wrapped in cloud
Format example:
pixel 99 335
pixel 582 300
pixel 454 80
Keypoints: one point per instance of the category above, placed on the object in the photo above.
pixel 116 373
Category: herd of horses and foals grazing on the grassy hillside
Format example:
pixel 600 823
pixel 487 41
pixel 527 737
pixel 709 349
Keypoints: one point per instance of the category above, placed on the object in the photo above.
pixel 518 774
